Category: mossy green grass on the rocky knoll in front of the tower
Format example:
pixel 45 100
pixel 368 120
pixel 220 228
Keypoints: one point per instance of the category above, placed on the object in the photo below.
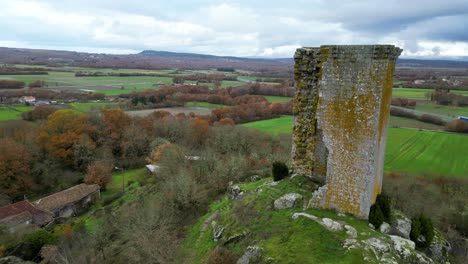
pixel 280 237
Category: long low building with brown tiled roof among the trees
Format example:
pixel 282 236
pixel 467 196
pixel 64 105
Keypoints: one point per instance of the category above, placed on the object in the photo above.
pixel 70 202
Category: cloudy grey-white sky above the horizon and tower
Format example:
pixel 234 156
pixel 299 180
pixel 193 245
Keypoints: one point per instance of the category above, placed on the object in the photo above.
pixel 430 28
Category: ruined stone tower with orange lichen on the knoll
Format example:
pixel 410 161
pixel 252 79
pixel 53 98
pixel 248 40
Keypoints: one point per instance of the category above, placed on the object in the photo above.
pixel 341 109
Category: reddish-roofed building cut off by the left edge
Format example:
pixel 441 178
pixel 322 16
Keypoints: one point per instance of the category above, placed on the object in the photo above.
pixel 22 214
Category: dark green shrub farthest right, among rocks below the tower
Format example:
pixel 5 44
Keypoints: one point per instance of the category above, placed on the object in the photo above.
pixel 422 226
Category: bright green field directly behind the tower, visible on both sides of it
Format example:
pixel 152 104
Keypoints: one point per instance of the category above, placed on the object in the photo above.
pixel 408 150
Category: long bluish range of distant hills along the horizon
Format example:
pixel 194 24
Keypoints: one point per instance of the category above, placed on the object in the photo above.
pixel 150 59
